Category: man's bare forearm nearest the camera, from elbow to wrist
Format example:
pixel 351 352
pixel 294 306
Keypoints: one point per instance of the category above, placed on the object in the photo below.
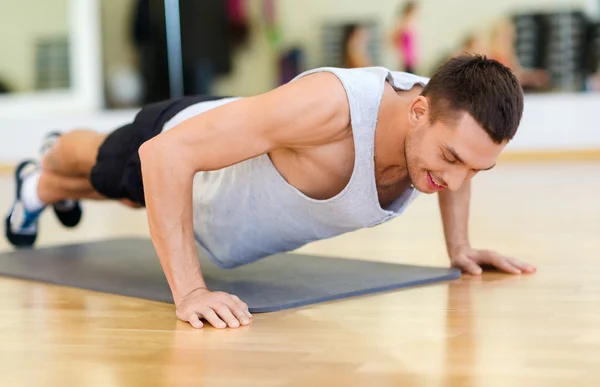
pixel 168 194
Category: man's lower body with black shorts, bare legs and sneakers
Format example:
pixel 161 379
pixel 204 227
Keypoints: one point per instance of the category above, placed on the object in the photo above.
pixel 83 164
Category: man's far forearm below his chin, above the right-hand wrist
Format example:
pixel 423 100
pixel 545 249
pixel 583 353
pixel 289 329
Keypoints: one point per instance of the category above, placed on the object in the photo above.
pixel 454 208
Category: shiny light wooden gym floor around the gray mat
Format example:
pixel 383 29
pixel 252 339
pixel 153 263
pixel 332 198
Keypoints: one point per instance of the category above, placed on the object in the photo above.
pixel 498 330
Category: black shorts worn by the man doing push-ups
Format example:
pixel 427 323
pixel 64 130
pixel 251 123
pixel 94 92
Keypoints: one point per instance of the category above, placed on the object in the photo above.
pixel 117 173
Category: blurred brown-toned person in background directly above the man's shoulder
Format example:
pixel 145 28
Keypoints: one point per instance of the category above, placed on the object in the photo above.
pixel 355 46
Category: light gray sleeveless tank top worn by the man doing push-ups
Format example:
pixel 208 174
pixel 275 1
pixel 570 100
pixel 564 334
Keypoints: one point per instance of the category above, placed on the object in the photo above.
pixel 248 211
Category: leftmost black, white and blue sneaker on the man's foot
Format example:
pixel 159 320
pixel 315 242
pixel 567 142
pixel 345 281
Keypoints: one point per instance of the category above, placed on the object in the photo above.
pixel 20 226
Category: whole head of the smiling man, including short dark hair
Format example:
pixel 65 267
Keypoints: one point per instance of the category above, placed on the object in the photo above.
pixel 463 119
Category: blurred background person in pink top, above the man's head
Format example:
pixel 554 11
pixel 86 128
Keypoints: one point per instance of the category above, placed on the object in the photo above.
pixel 404 37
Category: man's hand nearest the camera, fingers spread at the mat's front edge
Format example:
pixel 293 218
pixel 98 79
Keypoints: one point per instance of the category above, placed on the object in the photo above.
pixel 218 308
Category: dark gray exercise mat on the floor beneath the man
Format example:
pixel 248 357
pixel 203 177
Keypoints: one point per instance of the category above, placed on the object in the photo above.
pixel 130 267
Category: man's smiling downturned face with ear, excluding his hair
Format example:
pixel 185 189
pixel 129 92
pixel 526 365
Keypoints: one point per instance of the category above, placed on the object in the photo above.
pixel 448 152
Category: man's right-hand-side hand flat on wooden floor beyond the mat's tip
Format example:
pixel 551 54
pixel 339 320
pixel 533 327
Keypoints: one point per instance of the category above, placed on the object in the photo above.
pixel 470 261
